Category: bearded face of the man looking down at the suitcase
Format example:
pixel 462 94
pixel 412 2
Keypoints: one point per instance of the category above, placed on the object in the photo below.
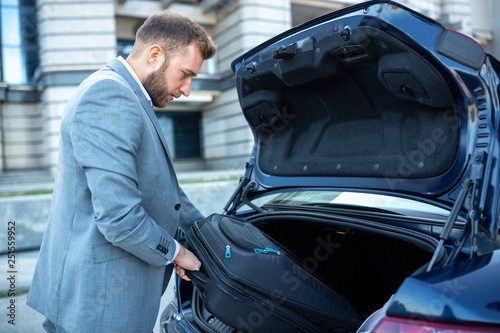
pixel 175 80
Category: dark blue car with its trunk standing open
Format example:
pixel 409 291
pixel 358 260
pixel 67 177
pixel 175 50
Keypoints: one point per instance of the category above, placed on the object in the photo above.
pixel 375 169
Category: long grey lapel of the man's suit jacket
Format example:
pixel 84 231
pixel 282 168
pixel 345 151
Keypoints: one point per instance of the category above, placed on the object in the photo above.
pixel 118 67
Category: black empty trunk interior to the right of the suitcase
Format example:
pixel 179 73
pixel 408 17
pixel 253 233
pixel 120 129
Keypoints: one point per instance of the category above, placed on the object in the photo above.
pixel 364 262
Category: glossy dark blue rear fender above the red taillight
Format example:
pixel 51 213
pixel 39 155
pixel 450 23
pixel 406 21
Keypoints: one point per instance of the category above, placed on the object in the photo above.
pixel 460 292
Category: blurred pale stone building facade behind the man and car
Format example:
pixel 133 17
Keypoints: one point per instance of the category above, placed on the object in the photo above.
pixel 49 46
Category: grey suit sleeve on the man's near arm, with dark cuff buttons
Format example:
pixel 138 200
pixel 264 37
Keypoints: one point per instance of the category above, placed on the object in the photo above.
pixel 106 133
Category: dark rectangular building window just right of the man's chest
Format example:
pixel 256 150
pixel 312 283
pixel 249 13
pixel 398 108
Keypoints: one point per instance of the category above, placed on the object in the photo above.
pixel 182 131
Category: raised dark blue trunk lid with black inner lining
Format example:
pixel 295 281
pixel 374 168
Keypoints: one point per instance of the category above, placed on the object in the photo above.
pixel 374 98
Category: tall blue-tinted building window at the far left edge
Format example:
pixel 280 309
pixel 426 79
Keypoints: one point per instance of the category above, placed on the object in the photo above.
pixel 19 41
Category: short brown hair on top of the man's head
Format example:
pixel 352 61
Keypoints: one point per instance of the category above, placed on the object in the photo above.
pixel 172 31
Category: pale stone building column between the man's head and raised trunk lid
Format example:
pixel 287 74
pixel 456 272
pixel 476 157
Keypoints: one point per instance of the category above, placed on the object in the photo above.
pixel 242 25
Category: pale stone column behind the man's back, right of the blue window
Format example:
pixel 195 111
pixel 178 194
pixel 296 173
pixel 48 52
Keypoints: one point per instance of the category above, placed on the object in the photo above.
pixel 76 38
